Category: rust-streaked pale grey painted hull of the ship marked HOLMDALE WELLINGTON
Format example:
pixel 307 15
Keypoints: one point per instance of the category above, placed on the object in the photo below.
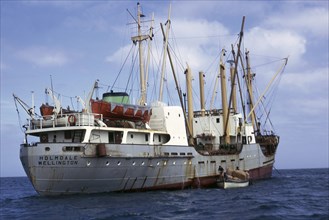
pixel 55 172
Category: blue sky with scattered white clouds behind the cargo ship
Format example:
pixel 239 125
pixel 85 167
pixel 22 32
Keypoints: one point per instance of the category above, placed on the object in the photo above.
pixel 77 42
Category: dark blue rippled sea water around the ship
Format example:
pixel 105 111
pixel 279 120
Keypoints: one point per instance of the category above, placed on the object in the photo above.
pixel 289 194
